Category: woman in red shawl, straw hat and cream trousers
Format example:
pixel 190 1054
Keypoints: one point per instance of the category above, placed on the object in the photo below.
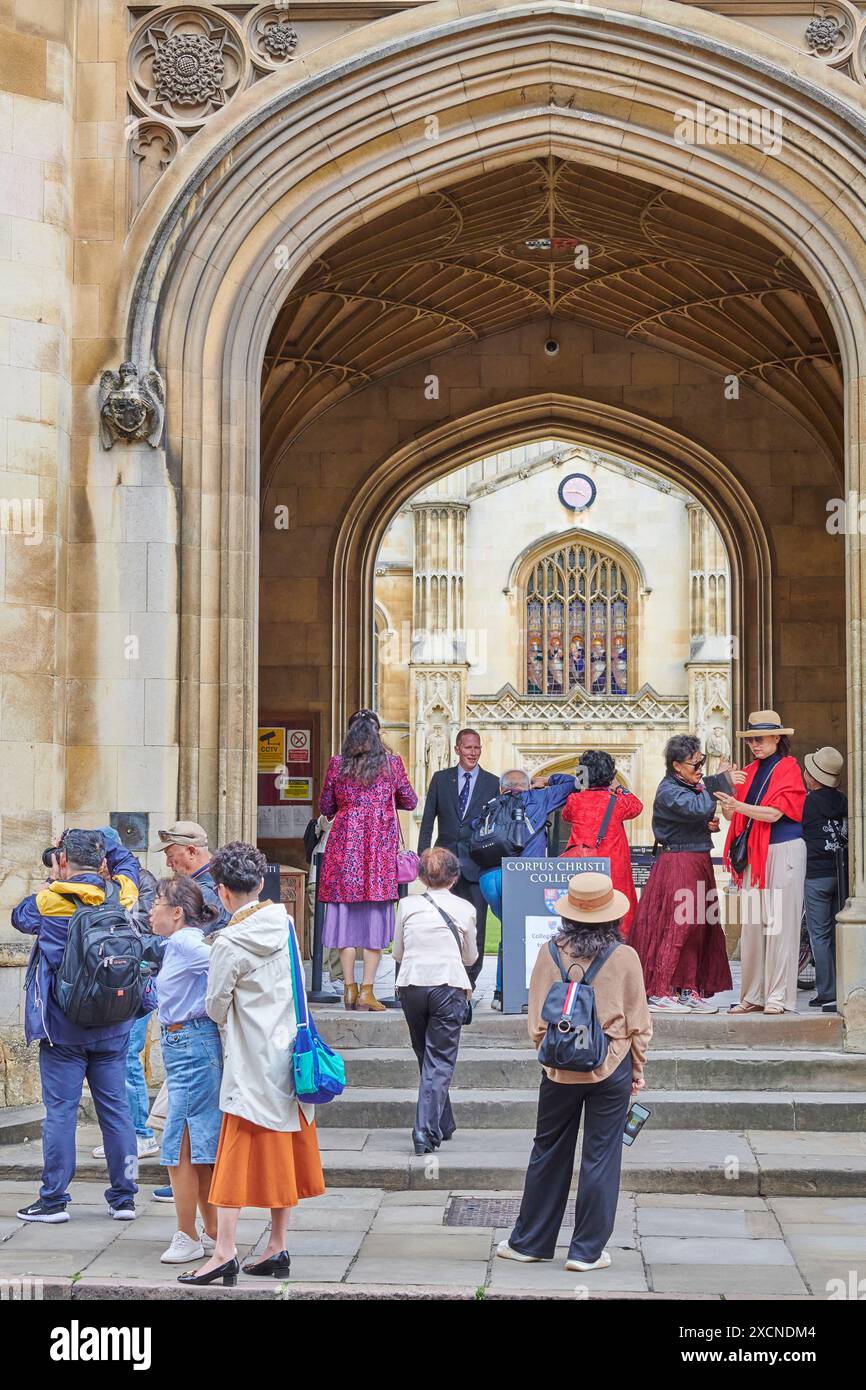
pixel 771 807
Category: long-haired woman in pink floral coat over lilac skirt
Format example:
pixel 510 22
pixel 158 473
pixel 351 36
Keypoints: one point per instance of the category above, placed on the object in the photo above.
pixel 359 872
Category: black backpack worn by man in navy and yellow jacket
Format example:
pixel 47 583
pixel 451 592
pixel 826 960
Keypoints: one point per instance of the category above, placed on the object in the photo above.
pixel 99 982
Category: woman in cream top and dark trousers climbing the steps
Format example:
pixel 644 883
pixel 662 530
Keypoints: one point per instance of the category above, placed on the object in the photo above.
pixel 434 942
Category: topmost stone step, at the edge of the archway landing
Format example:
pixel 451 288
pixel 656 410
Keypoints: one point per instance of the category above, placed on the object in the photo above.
pixel 808 1031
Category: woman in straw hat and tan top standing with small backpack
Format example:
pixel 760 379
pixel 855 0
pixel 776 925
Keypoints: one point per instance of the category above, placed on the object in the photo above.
pixel 591 917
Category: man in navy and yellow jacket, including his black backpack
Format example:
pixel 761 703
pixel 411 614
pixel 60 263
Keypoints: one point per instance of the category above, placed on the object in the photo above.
pixel 83 995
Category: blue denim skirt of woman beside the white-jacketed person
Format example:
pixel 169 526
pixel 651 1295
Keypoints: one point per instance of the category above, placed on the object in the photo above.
pixel 193 1058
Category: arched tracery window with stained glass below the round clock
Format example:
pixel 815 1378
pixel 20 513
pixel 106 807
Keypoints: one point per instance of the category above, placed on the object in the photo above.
pixel 578 623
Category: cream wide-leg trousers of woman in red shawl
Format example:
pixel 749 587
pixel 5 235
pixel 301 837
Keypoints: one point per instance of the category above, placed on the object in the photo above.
pixel 771 924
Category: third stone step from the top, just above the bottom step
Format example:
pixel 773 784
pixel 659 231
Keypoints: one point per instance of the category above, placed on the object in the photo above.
pixel 391 1109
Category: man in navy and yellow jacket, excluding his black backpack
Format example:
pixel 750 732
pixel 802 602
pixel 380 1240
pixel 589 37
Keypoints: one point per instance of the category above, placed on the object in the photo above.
pixel 67 1053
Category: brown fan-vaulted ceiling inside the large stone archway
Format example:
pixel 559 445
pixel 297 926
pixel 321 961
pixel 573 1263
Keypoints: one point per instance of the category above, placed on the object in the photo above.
pixel 454 266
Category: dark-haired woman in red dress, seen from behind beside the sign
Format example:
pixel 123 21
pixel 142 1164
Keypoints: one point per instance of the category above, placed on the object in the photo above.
pixel 586 812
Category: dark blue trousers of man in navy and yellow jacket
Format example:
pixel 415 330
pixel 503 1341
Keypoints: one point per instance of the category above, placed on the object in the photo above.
pixel 63 1071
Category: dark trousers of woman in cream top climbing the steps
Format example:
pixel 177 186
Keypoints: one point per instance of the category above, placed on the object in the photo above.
pixel 434 1014
